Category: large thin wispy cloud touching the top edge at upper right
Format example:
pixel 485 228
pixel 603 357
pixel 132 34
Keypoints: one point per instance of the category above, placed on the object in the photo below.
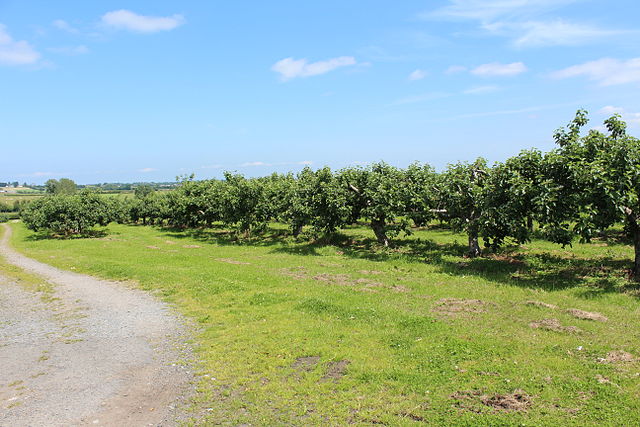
pixel 523 21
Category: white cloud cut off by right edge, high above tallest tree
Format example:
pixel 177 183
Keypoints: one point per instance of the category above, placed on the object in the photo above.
pixel 605 71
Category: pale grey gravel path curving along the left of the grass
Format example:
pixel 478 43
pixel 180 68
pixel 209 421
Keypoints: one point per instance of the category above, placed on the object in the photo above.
pixel 94 352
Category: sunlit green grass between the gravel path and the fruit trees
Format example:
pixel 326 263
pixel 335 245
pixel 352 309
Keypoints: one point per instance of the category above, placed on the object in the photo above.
pixel 278 317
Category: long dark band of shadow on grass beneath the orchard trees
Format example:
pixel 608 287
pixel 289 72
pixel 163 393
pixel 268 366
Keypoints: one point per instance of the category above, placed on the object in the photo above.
pixel 512 266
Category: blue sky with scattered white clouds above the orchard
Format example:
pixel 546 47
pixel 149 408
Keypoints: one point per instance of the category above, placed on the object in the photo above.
pixel 127 91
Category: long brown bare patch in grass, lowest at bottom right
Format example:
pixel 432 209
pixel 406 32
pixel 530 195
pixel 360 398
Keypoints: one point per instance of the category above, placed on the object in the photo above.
pixel 472 400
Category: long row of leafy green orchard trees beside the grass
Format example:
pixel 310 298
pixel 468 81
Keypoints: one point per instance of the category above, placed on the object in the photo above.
pixel 585 185
